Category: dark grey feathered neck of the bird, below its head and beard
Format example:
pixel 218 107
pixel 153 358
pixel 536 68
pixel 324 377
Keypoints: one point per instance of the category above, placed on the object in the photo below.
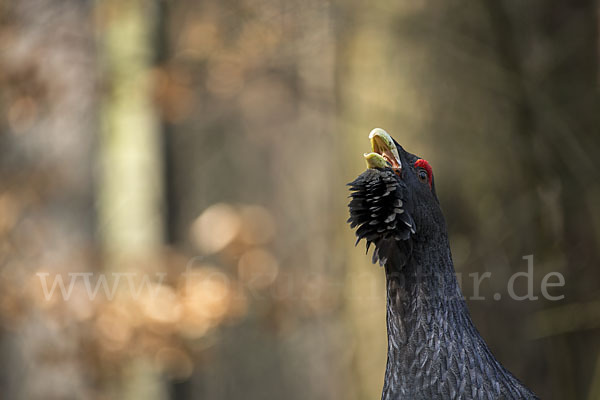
pixel 434 350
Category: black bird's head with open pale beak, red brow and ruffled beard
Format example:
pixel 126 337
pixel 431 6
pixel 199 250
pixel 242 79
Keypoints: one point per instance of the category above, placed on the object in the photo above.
pixel 393 203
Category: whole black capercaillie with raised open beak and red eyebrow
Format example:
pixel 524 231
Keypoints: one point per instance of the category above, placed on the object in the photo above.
pixel 434 350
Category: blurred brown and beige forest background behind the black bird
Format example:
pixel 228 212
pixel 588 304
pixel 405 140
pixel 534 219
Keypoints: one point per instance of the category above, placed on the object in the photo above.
pixel 216 137
